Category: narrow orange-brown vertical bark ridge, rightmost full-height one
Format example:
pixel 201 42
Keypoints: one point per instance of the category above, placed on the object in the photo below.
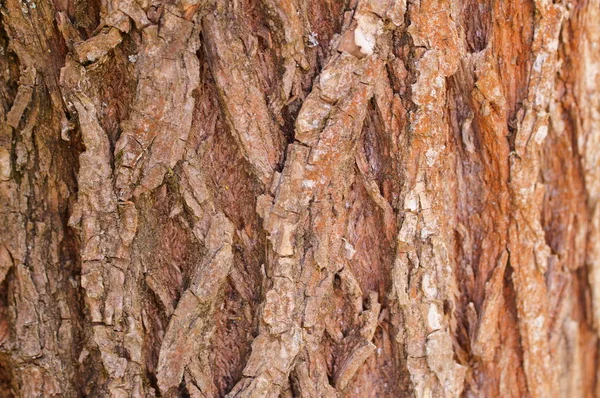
pixel 527 244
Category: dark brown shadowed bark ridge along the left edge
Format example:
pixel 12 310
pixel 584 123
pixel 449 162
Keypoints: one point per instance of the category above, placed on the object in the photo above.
pixel 37 341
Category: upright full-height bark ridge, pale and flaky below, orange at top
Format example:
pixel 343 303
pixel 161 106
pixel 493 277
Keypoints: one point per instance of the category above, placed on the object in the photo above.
pixel 423 270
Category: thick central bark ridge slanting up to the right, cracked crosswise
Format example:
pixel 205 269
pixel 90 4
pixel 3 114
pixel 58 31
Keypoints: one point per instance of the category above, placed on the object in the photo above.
pixel 346 82
